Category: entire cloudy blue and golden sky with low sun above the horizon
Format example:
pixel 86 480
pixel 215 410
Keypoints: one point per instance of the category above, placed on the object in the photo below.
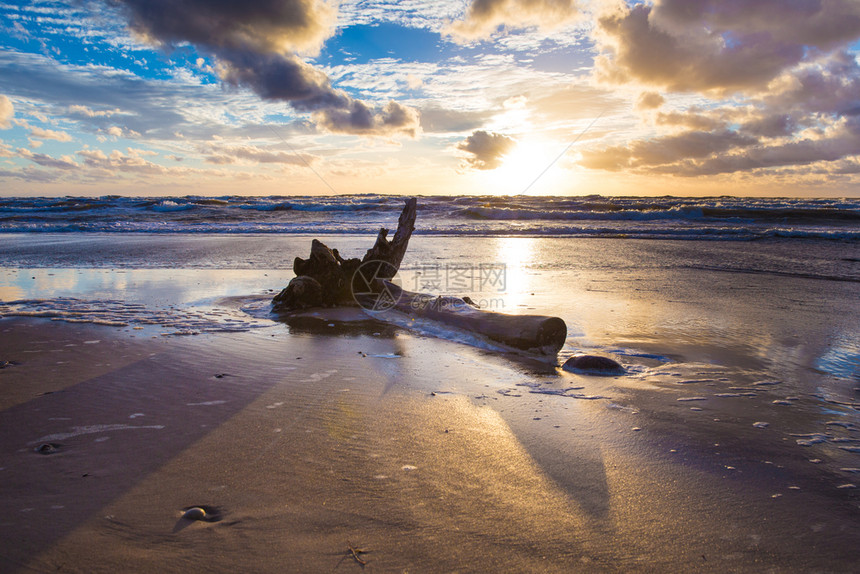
pixel 432 97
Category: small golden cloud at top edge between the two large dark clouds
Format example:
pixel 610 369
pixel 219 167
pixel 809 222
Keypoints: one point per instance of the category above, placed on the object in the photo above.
pixel 486 16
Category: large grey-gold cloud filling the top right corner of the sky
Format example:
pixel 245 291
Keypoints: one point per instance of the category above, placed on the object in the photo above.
pixel 714 45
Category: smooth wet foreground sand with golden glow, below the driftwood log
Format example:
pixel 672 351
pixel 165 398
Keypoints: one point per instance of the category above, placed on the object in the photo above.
pixel 400 446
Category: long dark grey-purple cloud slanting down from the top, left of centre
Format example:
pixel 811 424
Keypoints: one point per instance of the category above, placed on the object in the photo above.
pixel 255 45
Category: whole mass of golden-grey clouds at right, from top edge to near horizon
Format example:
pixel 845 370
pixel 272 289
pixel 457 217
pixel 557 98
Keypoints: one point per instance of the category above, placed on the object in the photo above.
pixel 782 84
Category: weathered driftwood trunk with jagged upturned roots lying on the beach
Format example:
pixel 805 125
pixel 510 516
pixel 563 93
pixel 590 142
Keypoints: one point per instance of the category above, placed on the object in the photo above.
pixel 325 279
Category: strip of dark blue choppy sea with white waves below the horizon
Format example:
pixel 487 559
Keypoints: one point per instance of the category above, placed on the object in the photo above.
pixel 710 218
